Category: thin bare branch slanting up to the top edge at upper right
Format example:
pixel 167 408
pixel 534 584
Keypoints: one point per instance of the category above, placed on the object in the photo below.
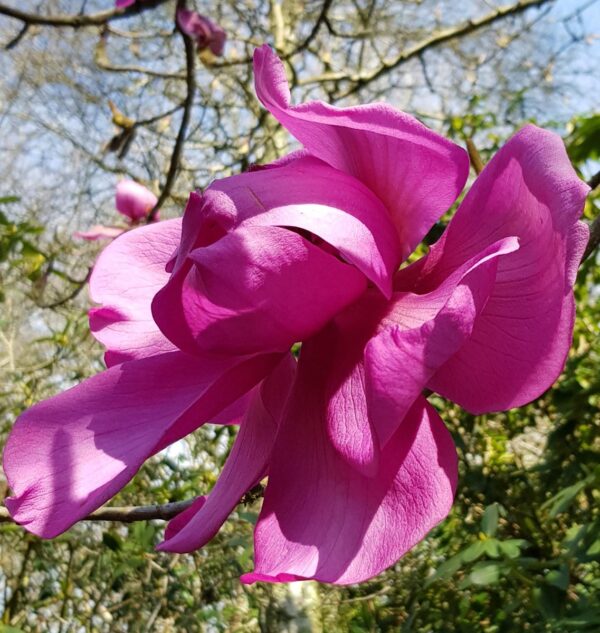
pixel 441 37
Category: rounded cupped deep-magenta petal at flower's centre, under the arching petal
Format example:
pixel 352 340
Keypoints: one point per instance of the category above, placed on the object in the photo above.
pixel 282 289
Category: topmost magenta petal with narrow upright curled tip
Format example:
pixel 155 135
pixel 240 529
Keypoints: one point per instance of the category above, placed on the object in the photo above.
pixel 415 172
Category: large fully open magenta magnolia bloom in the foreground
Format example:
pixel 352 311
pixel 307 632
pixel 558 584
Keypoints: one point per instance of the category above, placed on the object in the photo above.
pixel 198 317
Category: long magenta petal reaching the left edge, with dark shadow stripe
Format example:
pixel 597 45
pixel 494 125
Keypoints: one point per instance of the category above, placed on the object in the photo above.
pixel 68 455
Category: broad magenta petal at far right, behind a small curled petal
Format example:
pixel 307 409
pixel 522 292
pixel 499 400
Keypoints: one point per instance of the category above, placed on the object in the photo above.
pixel 520 341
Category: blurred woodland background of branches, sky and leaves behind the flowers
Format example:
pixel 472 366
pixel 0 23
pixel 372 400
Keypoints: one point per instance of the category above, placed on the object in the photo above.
pixel 89 94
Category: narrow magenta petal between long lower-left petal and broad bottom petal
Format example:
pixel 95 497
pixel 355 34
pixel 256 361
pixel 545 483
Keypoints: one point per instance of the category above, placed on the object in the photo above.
pixel 244 468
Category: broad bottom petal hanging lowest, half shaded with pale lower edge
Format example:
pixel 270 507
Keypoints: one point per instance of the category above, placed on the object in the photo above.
pixel 323 519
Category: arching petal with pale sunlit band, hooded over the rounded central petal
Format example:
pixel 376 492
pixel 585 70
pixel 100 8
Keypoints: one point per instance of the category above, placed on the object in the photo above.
pixel 306 193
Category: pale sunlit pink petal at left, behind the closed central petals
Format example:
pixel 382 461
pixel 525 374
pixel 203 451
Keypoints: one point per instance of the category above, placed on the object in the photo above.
pixel 127 275
